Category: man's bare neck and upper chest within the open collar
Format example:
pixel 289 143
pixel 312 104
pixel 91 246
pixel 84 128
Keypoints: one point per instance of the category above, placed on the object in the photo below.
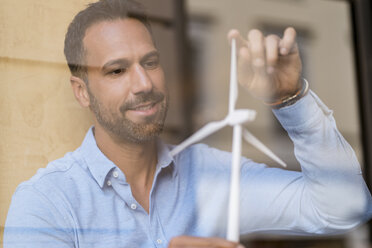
pixel 136 160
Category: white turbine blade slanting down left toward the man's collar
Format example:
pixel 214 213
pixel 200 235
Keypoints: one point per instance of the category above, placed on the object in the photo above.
pixel 199 135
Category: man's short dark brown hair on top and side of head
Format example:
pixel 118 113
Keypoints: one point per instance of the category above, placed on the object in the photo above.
pixel 103 10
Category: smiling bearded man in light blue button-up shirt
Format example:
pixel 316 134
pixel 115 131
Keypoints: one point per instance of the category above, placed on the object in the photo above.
pixel 122 188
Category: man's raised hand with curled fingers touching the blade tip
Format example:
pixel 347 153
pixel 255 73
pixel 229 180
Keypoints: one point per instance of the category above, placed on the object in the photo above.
pixel 268 67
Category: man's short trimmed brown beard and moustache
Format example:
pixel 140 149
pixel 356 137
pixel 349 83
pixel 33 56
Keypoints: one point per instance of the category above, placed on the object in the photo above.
pixel 125 129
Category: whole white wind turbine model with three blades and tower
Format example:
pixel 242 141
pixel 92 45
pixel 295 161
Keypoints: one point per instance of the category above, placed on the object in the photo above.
pixel 235 118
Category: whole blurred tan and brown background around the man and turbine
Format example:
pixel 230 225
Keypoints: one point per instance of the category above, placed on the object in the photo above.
pixel 41 121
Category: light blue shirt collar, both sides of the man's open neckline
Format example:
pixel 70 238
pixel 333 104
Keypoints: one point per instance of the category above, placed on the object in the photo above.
pixel 99 165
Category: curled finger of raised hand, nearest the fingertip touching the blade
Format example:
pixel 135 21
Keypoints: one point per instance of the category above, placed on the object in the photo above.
pixel 257 49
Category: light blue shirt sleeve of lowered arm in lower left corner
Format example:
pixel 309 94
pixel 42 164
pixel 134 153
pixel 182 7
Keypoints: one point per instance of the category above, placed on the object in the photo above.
pixel 33 221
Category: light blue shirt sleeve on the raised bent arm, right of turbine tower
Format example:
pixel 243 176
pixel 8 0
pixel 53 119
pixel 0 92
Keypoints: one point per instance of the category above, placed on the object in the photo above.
pixel 328 196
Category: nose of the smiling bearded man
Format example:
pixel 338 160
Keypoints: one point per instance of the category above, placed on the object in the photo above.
pixel 141 81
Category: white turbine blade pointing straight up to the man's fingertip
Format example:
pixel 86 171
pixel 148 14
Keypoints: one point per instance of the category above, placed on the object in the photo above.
pixel 233 78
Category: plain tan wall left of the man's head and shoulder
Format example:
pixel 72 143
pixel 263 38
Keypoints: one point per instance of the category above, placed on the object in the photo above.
pixel 40 119
